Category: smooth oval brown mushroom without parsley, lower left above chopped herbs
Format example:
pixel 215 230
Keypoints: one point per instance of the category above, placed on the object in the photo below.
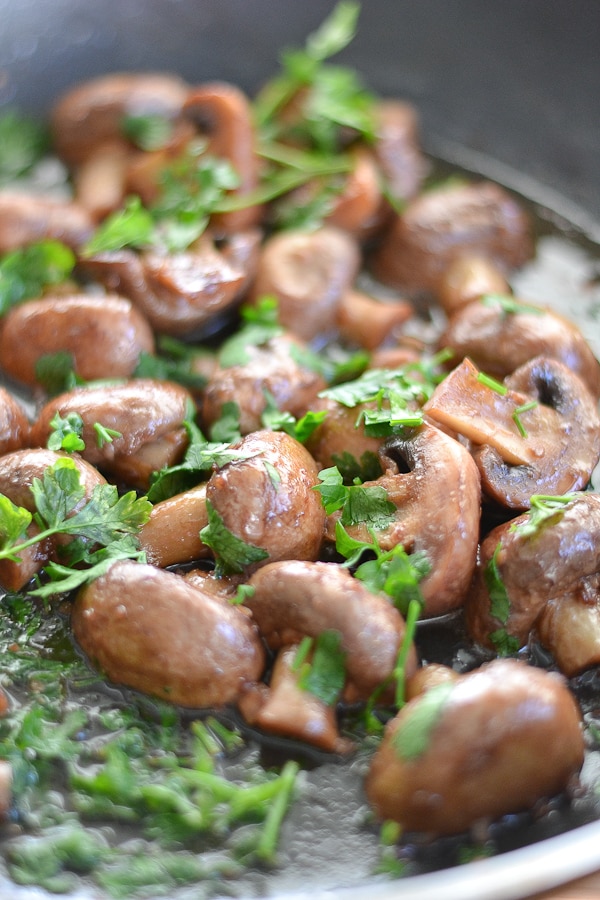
pixel 151 630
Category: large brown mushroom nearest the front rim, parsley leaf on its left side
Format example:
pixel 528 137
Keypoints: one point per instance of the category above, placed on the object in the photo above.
pixel 492 742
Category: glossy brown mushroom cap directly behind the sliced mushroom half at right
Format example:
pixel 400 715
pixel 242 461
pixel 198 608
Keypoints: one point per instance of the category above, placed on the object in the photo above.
pixel 500 336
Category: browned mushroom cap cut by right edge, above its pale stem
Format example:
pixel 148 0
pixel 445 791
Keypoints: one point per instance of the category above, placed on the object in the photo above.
pixel 530 567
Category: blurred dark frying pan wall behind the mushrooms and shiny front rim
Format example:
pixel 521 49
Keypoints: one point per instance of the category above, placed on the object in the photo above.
pixel 507 89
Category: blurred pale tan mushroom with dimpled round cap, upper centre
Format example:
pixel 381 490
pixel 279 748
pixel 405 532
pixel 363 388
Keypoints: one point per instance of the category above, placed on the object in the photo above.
pixel 308 272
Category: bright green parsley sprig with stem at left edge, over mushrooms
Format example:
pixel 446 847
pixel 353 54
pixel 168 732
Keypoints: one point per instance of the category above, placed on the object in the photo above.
pixel 103 528
